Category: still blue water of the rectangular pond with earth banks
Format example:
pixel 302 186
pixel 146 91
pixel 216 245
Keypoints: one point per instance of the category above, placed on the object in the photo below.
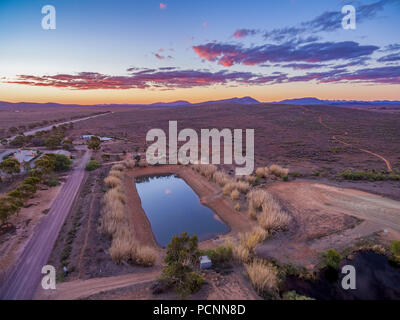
pixel 172 208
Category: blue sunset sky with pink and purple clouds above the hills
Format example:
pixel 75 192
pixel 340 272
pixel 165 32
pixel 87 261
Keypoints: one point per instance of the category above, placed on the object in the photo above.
pixel 145 51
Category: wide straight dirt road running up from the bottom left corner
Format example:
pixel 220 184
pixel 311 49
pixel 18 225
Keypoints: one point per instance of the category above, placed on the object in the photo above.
pixel 22 281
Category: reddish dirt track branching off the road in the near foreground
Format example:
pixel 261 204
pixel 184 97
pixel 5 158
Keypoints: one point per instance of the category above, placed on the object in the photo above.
pixel 79 289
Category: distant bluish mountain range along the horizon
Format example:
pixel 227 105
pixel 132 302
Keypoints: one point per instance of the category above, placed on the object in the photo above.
pixel 243 101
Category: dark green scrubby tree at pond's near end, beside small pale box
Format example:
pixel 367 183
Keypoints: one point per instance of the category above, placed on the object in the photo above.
pixel 182 259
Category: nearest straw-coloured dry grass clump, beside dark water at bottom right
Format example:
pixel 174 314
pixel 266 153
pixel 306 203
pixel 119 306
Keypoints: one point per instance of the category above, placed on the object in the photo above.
pixel 263 276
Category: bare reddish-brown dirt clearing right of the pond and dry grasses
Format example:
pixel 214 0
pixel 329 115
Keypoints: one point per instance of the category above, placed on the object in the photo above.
pixel 326 217
